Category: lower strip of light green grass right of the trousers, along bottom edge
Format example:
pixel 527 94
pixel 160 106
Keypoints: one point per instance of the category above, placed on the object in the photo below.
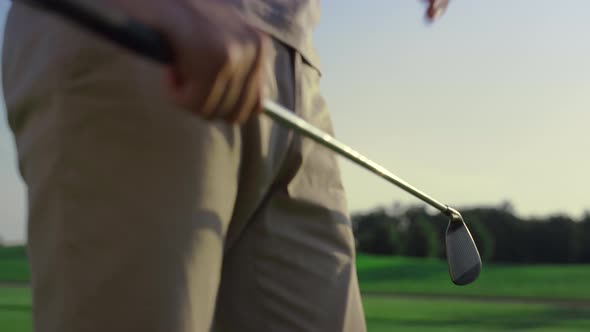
pixel 390 314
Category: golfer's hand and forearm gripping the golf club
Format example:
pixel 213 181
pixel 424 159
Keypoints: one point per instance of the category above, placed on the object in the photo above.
pixel 218 57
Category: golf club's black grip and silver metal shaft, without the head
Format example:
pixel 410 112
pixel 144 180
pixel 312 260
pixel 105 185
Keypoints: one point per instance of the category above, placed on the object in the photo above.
pixel 150 43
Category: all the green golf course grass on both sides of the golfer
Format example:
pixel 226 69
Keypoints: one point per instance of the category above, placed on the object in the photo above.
pixel 383 278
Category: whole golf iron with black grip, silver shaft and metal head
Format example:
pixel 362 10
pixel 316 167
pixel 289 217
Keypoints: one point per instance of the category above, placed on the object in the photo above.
pixel 462 254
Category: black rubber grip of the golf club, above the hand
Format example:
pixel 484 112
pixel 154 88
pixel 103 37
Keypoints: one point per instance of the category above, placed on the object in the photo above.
pixel 113 25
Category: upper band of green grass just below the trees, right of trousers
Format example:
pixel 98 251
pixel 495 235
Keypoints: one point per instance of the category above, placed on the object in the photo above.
pixel 418 276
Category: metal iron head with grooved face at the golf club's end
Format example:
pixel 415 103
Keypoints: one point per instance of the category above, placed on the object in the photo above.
pixel 462 255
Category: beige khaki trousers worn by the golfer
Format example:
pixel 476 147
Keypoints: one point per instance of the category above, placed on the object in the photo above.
pixel 144 218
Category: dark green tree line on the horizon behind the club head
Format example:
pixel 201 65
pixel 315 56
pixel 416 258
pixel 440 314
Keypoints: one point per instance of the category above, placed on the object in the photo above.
pixel 499 233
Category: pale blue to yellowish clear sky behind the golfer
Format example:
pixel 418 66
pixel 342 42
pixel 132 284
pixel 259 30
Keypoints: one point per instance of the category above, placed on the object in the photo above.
pixel 490 104
